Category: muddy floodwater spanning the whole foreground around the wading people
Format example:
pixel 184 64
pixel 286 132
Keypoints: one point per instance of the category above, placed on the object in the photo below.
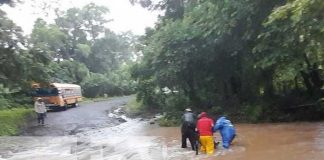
pixel 138 140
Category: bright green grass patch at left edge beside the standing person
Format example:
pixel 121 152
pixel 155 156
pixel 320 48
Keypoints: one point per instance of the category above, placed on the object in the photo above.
pixel 12 120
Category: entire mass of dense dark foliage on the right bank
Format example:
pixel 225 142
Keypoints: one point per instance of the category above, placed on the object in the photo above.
pixel 252 59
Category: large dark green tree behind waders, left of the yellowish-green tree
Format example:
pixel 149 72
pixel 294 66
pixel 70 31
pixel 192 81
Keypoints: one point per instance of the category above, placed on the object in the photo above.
pixel 207 56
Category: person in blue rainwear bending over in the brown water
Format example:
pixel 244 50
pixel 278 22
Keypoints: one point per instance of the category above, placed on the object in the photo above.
pixel 226 129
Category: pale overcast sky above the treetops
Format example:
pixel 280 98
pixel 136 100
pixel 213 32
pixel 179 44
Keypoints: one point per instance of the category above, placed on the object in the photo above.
pixel 126 17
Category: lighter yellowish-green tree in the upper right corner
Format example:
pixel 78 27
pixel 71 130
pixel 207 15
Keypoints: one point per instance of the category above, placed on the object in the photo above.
pixel 292 44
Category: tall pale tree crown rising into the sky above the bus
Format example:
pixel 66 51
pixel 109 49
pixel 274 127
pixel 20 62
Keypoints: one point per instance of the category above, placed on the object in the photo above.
pixel 81 25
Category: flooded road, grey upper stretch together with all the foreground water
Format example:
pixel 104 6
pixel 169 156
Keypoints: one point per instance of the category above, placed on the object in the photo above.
pixel 91 132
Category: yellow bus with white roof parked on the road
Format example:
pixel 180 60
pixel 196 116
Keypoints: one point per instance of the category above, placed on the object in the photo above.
pixel 58 96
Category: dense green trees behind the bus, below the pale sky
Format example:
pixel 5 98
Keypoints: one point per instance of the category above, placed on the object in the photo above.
pixel 77 48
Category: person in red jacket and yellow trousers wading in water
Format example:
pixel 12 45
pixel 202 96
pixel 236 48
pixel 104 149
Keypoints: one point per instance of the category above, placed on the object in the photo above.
pixel 205 130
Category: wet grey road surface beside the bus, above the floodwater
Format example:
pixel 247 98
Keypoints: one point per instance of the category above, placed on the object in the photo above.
pixel 85 117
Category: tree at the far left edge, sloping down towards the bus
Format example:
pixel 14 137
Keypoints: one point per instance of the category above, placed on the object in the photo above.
pixel 19 63
